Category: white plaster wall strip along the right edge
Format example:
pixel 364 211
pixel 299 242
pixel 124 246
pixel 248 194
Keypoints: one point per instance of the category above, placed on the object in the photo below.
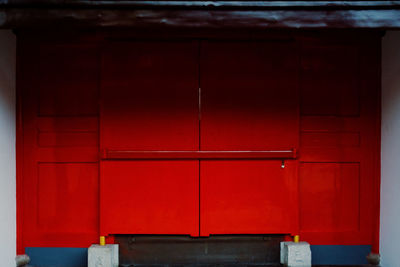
pixel 390 165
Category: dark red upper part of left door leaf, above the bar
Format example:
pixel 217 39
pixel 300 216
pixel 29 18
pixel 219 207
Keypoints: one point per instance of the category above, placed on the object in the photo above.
pixel 149 96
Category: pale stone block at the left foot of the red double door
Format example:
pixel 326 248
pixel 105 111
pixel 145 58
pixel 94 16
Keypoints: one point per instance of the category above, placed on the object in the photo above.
pixel 103 256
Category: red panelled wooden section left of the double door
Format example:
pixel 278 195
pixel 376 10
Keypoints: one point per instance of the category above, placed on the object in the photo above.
pixel 58 193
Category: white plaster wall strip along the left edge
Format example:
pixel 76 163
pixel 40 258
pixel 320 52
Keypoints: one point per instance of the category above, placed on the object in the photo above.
pixel 7 149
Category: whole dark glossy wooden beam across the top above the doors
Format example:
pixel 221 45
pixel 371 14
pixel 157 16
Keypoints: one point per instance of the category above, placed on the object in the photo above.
pixel 200 14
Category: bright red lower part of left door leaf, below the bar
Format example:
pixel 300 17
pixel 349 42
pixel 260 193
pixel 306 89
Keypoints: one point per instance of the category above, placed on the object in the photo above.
pixel 149 197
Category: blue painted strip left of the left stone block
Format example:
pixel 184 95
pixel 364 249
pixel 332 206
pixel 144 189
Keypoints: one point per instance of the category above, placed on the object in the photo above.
pixel 57 257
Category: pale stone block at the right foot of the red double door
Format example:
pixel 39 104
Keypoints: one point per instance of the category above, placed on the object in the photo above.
pixel 296 254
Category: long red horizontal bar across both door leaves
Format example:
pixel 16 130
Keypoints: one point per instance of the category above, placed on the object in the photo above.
pixel 267 154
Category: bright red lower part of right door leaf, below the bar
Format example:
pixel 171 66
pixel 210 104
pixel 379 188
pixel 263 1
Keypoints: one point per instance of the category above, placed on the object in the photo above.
pixel 247 197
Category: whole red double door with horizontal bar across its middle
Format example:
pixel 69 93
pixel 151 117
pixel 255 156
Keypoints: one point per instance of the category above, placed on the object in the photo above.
pixel 179 125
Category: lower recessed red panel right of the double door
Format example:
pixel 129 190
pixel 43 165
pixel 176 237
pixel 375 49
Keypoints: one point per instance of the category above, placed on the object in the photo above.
pixel 330 195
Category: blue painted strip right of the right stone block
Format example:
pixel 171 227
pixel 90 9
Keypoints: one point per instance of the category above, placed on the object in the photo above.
pixel 339 255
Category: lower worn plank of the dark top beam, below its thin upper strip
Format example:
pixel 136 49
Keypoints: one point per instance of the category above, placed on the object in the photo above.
pixel 181 18
